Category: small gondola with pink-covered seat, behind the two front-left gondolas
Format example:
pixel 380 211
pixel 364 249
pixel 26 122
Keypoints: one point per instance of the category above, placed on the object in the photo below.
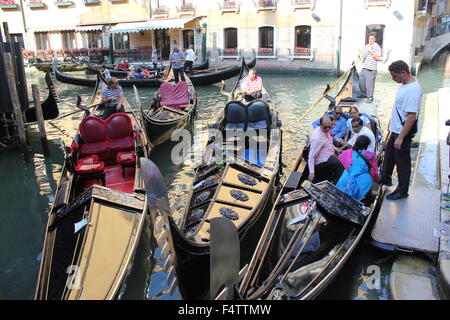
pixel 173 107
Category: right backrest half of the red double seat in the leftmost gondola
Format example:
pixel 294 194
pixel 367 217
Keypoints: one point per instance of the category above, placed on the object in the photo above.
pixel 119 128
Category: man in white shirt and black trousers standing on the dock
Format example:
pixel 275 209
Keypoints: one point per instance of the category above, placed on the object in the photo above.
pixel 403 127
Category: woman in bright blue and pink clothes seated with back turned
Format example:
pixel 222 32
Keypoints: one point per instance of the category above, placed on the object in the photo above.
pixel 361 169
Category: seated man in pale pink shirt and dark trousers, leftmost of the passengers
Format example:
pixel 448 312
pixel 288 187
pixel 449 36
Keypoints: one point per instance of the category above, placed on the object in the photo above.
pixel 322 161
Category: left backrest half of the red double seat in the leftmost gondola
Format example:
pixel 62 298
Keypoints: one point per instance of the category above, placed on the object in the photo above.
pixel 94 136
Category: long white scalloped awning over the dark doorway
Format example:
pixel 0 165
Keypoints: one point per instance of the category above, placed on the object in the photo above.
pixel 154 24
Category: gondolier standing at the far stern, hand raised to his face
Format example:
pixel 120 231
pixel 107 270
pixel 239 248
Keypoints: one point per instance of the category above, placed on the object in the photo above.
pixel 369 56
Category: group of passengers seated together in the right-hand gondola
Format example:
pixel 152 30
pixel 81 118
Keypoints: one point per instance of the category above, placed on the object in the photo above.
pixel 355 169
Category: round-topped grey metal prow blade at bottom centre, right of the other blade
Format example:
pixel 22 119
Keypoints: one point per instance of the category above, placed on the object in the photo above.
pixel 224 256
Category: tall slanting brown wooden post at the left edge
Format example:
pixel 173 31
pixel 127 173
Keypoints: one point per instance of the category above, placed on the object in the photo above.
pixel 15 97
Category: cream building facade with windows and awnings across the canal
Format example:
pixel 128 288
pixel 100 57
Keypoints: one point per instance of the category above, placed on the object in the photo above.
pixel 290 34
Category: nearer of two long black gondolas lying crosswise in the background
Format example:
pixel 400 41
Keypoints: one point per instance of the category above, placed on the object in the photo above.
pixel 199 78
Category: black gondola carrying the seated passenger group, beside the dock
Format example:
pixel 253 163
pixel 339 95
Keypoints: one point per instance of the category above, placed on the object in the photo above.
pixel 311 232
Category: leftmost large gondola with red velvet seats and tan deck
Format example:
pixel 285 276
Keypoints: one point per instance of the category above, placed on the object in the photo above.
pixel 96 219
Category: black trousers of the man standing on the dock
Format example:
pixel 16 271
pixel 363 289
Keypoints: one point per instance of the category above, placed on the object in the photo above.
pixel 400 158
